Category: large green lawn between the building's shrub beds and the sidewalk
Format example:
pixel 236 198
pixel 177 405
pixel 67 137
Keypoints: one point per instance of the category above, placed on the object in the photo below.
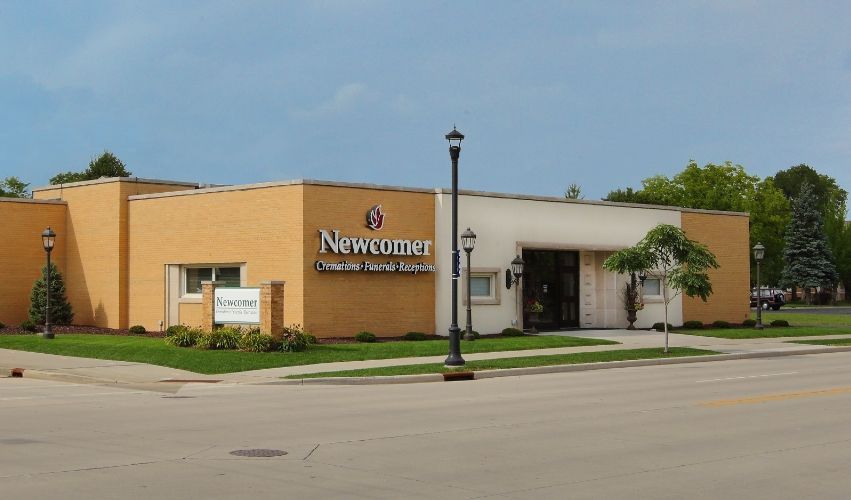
pixel 157 352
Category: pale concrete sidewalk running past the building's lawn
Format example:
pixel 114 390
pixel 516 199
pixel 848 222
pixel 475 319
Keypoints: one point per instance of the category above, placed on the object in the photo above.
pixel 85 370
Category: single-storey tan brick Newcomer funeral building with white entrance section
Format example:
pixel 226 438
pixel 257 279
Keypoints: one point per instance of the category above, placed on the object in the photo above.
pixel 353 257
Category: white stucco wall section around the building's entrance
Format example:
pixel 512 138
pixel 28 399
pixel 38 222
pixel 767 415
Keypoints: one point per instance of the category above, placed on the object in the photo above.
pixel 505 225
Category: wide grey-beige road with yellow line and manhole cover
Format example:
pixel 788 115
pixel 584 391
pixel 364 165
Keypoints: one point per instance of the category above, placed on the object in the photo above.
pixel 771 428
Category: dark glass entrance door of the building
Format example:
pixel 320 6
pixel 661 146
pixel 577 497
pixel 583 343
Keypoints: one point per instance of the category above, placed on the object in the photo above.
pixel 551 279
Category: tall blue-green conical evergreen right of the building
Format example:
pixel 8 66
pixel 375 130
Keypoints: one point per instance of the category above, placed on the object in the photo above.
pixel 809 261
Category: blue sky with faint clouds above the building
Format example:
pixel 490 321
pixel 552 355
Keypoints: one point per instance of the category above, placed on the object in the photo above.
pixel 597 93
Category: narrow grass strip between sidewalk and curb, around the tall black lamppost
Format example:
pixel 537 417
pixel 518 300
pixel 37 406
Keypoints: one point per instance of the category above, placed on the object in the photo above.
pixel 528 361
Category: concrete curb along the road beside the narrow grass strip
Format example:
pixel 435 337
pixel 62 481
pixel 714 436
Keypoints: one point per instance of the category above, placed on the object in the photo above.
pixel 539 370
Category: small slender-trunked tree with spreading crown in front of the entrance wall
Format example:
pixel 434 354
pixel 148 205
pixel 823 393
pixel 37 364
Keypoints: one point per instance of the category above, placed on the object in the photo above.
pixel 680 264
